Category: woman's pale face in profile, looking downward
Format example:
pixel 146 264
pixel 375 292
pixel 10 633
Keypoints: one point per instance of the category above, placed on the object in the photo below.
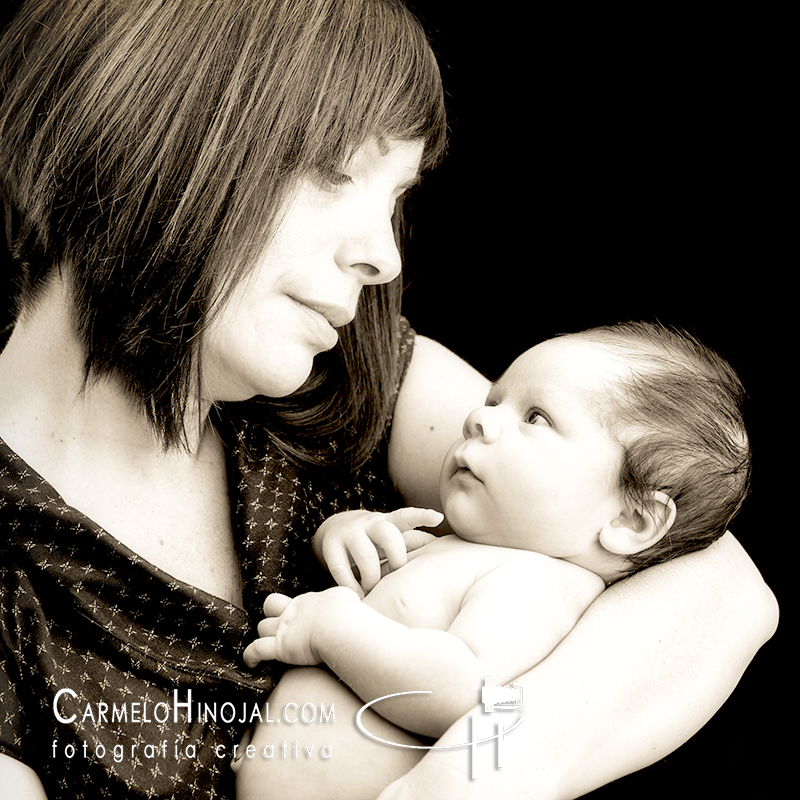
pixel 333 239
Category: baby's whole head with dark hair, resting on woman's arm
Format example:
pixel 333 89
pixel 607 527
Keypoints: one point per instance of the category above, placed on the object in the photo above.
pixel 615 448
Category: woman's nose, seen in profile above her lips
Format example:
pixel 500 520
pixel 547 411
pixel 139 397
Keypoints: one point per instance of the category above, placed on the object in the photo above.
pixel 371 251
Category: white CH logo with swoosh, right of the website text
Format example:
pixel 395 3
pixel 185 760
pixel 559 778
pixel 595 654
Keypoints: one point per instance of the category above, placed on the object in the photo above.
pixel 493 697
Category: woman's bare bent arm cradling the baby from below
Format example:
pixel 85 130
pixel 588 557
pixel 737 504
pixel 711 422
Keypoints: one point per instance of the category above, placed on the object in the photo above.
pixel 647 665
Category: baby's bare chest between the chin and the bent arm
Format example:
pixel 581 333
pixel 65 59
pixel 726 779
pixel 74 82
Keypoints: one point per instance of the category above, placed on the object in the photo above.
pixel 428 591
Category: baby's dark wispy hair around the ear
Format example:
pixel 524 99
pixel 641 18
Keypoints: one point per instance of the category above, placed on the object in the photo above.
pixel 679 416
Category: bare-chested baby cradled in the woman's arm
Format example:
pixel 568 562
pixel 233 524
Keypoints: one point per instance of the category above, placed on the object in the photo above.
pixel 596 454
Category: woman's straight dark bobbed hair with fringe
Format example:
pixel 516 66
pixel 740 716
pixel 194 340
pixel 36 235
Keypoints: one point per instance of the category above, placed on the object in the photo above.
pixel 147 149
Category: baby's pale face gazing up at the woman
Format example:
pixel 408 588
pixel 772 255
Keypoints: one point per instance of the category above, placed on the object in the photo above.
pixel 536 469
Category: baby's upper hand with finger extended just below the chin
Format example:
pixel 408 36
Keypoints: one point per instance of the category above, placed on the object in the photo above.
pixel 364 538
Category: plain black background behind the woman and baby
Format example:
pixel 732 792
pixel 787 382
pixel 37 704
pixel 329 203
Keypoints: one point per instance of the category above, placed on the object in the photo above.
pixel 603 169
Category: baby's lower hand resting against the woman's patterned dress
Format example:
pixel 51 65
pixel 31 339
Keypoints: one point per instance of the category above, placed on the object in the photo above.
pixel 288 632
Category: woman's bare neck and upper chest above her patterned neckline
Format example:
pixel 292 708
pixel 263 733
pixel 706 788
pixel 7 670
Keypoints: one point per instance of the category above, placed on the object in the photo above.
pixel 97 450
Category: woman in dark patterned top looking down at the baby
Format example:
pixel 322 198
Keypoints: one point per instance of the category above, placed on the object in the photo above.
pixel 199 198
